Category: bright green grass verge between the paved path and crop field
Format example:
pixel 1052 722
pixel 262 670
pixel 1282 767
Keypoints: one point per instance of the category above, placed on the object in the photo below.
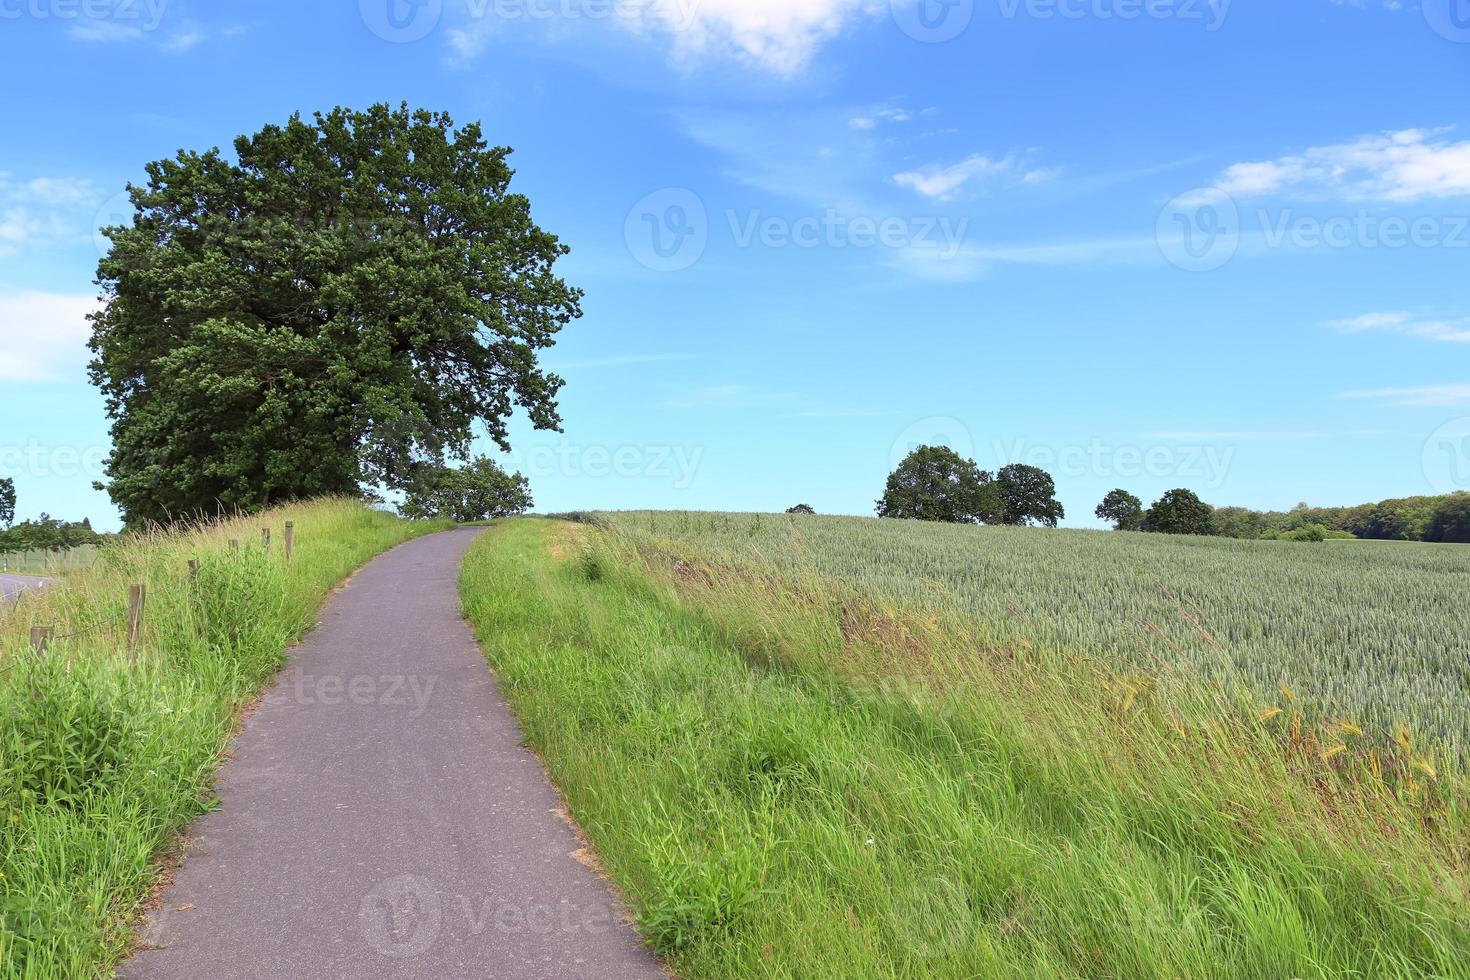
pixel 792 784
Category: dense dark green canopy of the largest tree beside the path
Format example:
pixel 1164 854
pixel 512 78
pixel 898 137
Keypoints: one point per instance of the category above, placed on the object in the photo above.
pixel 336 308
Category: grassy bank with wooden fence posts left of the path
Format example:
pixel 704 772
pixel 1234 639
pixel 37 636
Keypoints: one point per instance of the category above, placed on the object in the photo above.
pixel 102 763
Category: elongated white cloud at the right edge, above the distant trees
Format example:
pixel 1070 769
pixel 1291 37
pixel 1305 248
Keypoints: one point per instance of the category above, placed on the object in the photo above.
pixel 1408 165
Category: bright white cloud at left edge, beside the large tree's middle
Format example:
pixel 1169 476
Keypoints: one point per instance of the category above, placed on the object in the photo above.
pixel 43 336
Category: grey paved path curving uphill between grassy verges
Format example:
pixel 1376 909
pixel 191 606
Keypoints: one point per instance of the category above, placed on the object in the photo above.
pixel 380 818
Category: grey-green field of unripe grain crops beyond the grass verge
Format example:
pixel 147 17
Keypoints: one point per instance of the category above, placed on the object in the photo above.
pixel 1378 633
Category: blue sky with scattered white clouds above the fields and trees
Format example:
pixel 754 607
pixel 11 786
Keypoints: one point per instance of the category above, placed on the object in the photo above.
pixel 1141 243
